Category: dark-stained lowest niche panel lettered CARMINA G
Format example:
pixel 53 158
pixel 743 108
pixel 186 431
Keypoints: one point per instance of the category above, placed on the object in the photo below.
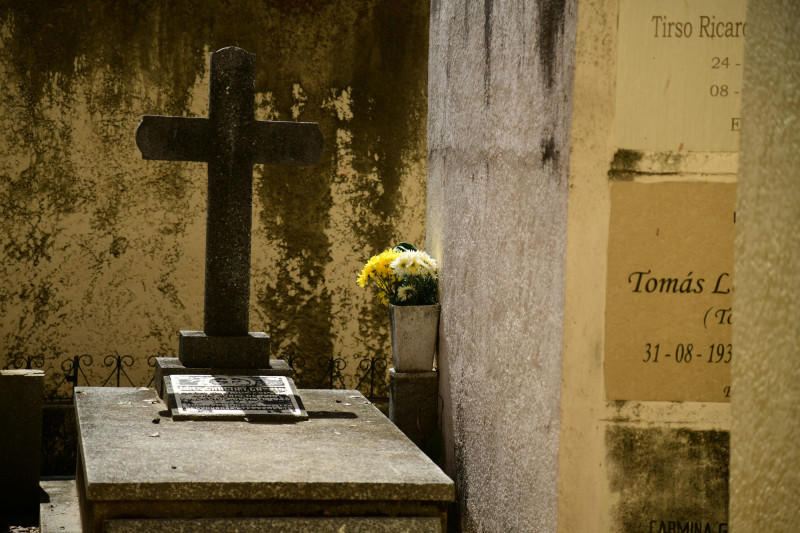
pixel 668 475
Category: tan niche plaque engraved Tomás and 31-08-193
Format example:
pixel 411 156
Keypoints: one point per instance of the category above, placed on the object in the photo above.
pixel 670 291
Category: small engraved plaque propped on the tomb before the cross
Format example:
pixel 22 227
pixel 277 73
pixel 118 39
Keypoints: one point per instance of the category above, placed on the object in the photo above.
pixel 198 396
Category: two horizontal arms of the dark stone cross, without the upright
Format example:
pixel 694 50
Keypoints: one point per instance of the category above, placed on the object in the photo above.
pixel 192 139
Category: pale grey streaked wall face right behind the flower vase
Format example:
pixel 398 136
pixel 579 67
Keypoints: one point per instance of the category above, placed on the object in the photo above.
pixel 499 106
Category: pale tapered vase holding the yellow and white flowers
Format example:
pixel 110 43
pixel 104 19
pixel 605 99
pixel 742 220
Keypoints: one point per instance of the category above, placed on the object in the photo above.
pixel 414 332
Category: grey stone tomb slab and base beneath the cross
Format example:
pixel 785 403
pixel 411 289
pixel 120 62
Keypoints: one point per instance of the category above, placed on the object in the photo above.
pixel 347 465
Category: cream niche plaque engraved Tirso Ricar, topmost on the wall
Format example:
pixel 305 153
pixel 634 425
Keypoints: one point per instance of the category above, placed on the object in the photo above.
pixel 679 73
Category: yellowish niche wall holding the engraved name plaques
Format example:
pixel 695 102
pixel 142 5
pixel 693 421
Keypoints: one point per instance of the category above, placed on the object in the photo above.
pixel 648 345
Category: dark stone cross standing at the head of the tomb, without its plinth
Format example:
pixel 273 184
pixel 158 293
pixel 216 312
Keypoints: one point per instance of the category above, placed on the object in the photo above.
pixel 230 140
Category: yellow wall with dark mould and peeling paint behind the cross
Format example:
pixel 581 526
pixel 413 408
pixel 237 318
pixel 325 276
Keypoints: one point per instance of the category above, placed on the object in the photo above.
pixel 102 253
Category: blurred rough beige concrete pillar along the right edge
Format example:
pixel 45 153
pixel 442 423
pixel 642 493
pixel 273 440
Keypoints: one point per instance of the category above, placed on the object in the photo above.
pixel 765 479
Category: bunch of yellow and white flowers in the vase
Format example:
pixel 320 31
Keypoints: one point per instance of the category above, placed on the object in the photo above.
pixel 403 276
